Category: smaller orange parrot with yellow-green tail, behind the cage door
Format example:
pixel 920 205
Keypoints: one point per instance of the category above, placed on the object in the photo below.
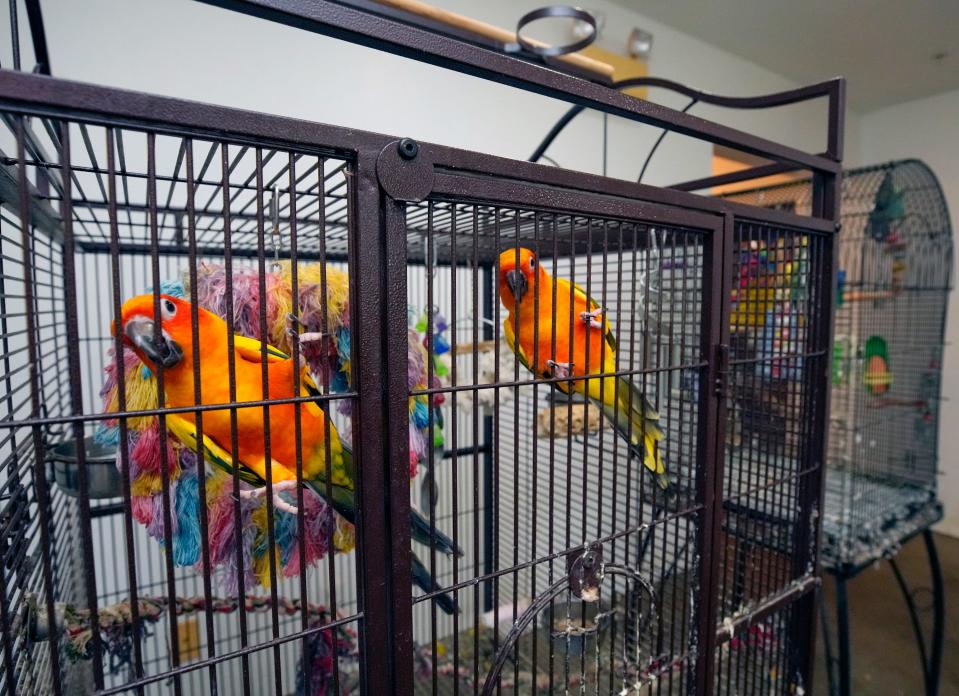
pixel 530 329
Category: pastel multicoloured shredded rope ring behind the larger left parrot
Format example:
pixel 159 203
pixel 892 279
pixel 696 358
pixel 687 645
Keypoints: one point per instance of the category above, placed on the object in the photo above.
pixel 328 360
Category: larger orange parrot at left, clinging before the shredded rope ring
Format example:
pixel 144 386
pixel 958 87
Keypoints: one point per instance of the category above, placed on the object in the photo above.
pixel 175 353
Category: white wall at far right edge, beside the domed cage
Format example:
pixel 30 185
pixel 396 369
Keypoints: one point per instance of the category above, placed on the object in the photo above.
pixel 928 129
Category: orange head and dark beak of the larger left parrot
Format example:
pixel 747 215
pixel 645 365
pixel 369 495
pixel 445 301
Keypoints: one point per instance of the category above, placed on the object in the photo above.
pixel 139 332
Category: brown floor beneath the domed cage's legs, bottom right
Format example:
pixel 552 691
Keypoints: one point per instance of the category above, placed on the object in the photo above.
pixel 885 660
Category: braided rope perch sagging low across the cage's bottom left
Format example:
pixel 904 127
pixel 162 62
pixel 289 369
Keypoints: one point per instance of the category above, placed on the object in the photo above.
pixel 117 630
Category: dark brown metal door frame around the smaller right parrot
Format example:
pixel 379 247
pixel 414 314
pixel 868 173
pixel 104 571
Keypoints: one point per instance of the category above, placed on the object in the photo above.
pixel 589 199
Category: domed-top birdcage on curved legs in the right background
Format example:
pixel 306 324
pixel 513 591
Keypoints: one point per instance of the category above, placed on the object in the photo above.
pixel 894 279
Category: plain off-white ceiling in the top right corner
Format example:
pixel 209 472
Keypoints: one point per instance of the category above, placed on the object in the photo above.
pixel 885 48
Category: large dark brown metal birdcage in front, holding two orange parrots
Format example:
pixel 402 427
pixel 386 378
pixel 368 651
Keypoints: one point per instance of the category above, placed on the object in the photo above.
pixel 138 557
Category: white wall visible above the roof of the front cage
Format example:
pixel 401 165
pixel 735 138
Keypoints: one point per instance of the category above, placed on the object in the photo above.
pixel 191 50
